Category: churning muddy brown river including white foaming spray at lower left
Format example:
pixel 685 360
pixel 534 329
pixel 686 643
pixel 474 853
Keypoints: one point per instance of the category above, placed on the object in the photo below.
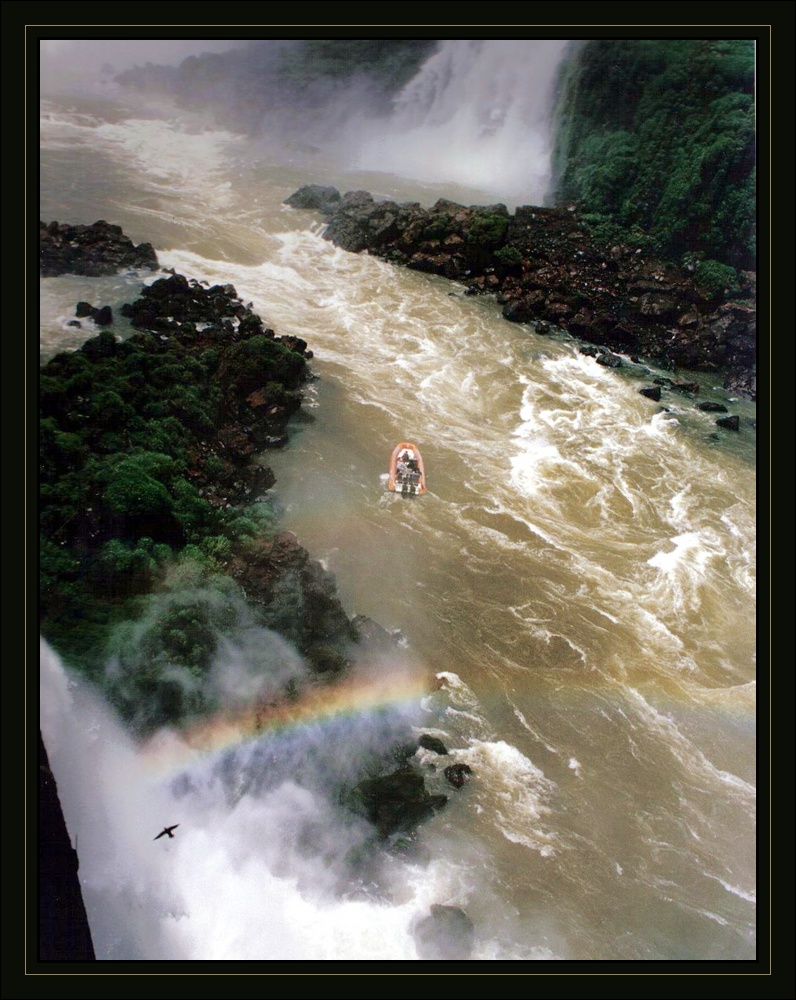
pixel 575 597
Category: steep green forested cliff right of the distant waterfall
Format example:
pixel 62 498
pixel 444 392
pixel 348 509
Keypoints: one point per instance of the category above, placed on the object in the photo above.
pixel 660 134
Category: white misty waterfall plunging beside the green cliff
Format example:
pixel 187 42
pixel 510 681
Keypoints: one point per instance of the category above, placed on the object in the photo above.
pixel 478 114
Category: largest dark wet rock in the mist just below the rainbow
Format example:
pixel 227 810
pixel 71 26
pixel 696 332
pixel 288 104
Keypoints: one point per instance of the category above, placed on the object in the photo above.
pixel 395 802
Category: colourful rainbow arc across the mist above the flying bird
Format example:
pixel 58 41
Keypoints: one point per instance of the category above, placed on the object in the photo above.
pixel 171 750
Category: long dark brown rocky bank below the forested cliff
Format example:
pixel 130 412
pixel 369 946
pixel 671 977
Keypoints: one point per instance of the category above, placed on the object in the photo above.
pixel 546 269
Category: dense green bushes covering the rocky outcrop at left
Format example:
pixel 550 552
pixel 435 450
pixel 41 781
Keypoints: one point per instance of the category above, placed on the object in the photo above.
pixel 133 479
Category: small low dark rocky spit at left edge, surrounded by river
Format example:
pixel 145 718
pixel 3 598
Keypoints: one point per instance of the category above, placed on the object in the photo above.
pixel 92 250
